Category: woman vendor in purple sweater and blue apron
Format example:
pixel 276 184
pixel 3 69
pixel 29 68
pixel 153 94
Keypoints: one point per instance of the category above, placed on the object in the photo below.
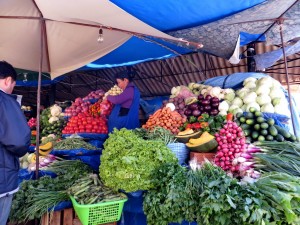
pixel 125 113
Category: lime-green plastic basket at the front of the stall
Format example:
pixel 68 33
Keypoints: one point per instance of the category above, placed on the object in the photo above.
pixel 100 213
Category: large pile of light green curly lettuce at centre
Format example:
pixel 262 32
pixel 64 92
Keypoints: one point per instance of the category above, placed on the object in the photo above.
pixel 128 161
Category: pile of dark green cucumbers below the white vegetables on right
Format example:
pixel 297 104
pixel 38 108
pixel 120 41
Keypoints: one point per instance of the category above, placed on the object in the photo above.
pixel 257 128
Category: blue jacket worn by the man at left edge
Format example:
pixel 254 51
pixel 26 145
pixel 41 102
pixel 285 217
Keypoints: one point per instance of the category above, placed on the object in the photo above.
pixel 14 141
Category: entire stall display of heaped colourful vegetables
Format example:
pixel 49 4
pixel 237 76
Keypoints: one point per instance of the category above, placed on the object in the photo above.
pixel 251 178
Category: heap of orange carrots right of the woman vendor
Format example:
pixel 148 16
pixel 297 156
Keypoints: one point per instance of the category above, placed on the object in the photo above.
pixel 170 120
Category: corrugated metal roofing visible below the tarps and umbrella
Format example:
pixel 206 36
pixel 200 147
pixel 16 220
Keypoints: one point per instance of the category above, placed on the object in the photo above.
pixel 156 78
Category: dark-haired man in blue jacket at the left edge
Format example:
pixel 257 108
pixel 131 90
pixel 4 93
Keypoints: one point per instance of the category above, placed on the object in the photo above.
pixel 14 139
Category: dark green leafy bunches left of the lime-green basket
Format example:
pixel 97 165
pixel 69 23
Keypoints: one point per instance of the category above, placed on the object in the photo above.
pixel 35 197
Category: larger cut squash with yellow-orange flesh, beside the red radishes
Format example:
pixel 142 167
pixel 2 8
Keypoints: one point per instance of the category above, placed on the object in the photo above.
pixel 205 143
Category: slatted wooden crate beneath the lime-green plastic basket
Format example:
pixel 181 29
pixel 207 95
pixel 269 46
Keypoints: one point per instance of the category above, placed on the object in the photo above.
pixel 64 217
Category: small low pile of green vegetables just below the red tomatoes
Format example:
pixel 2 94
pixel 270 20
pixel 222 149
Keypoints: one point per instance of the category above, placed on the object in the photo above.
pixel 73 143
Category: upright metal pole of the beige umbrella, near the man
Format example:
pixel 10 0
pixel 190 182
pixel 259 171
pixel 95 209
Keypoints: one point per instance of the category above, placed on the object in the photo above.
pixel 39 102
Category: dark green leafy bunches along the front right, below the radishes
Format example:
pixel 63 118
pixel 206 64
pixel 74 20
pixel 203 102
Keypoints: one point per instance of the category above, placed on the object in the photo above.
pixel 209 196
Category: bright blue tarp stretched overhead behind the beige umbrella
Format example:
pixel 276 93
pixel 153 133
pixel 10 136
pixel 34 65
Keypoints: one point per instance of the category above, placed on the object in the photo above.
pixel 169 16
